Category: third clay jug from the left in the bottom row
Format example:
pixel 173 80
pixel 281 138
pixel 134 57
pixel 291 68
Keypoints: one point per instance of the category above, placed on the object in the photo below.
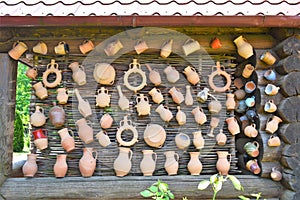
pixel 87 162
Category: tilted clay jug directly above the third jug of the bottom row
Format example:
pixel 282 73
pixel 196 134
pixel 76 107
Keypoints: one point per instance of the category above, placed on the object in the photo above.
pixel 85 132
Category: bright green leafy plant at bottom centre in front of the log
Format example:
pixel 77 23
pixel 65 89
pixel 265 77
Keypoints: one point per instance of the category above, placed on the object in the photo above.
pixel 158 190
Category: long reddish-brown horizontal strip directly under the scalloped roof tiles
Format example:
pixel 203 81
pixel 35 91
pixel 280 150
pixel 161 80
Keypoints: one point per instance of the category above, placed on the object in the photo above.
pixel 134 21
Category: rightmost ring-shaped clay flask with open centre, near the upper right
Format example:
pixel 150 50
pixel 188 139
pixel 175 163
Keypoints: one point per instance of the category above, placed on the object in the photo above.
pixel 220 71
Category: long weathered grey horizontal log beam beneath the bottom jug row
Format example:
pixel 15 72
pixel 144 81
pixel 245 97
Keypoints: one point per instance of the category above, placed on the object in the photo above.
pixel 129 187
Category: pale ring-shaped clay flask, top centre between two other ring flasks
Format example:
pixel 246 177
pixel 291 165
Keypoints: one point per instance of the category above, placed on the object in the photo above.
pixel 135 68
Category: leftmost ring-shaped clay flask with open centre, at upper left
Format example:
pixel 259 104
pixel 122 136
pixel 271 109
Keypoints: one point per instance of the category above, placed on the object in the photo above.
pixel 52 68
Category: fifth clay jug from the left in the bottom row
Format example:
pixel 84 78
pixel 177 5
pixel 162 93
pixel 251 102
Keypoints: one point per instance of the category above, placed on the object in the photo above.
pixel 148 162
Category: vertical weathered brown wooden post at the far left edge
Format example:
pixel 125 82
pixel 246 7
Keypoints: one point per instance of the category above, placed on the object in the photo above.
pixel 8 69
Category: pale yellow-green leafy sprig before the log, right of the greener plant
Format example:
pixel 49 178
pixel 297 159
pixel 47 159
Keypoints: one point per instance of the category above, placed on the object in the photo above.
pixel 217 180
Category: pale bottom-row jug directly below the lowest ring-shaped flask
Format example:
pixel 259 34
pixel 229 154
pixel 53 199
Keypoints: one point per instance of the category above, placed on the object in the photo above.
pixel 122 164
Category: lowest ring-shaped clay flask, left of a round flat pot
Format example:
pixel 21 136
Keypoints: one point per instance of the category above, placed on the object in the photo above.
pixel 125 125
